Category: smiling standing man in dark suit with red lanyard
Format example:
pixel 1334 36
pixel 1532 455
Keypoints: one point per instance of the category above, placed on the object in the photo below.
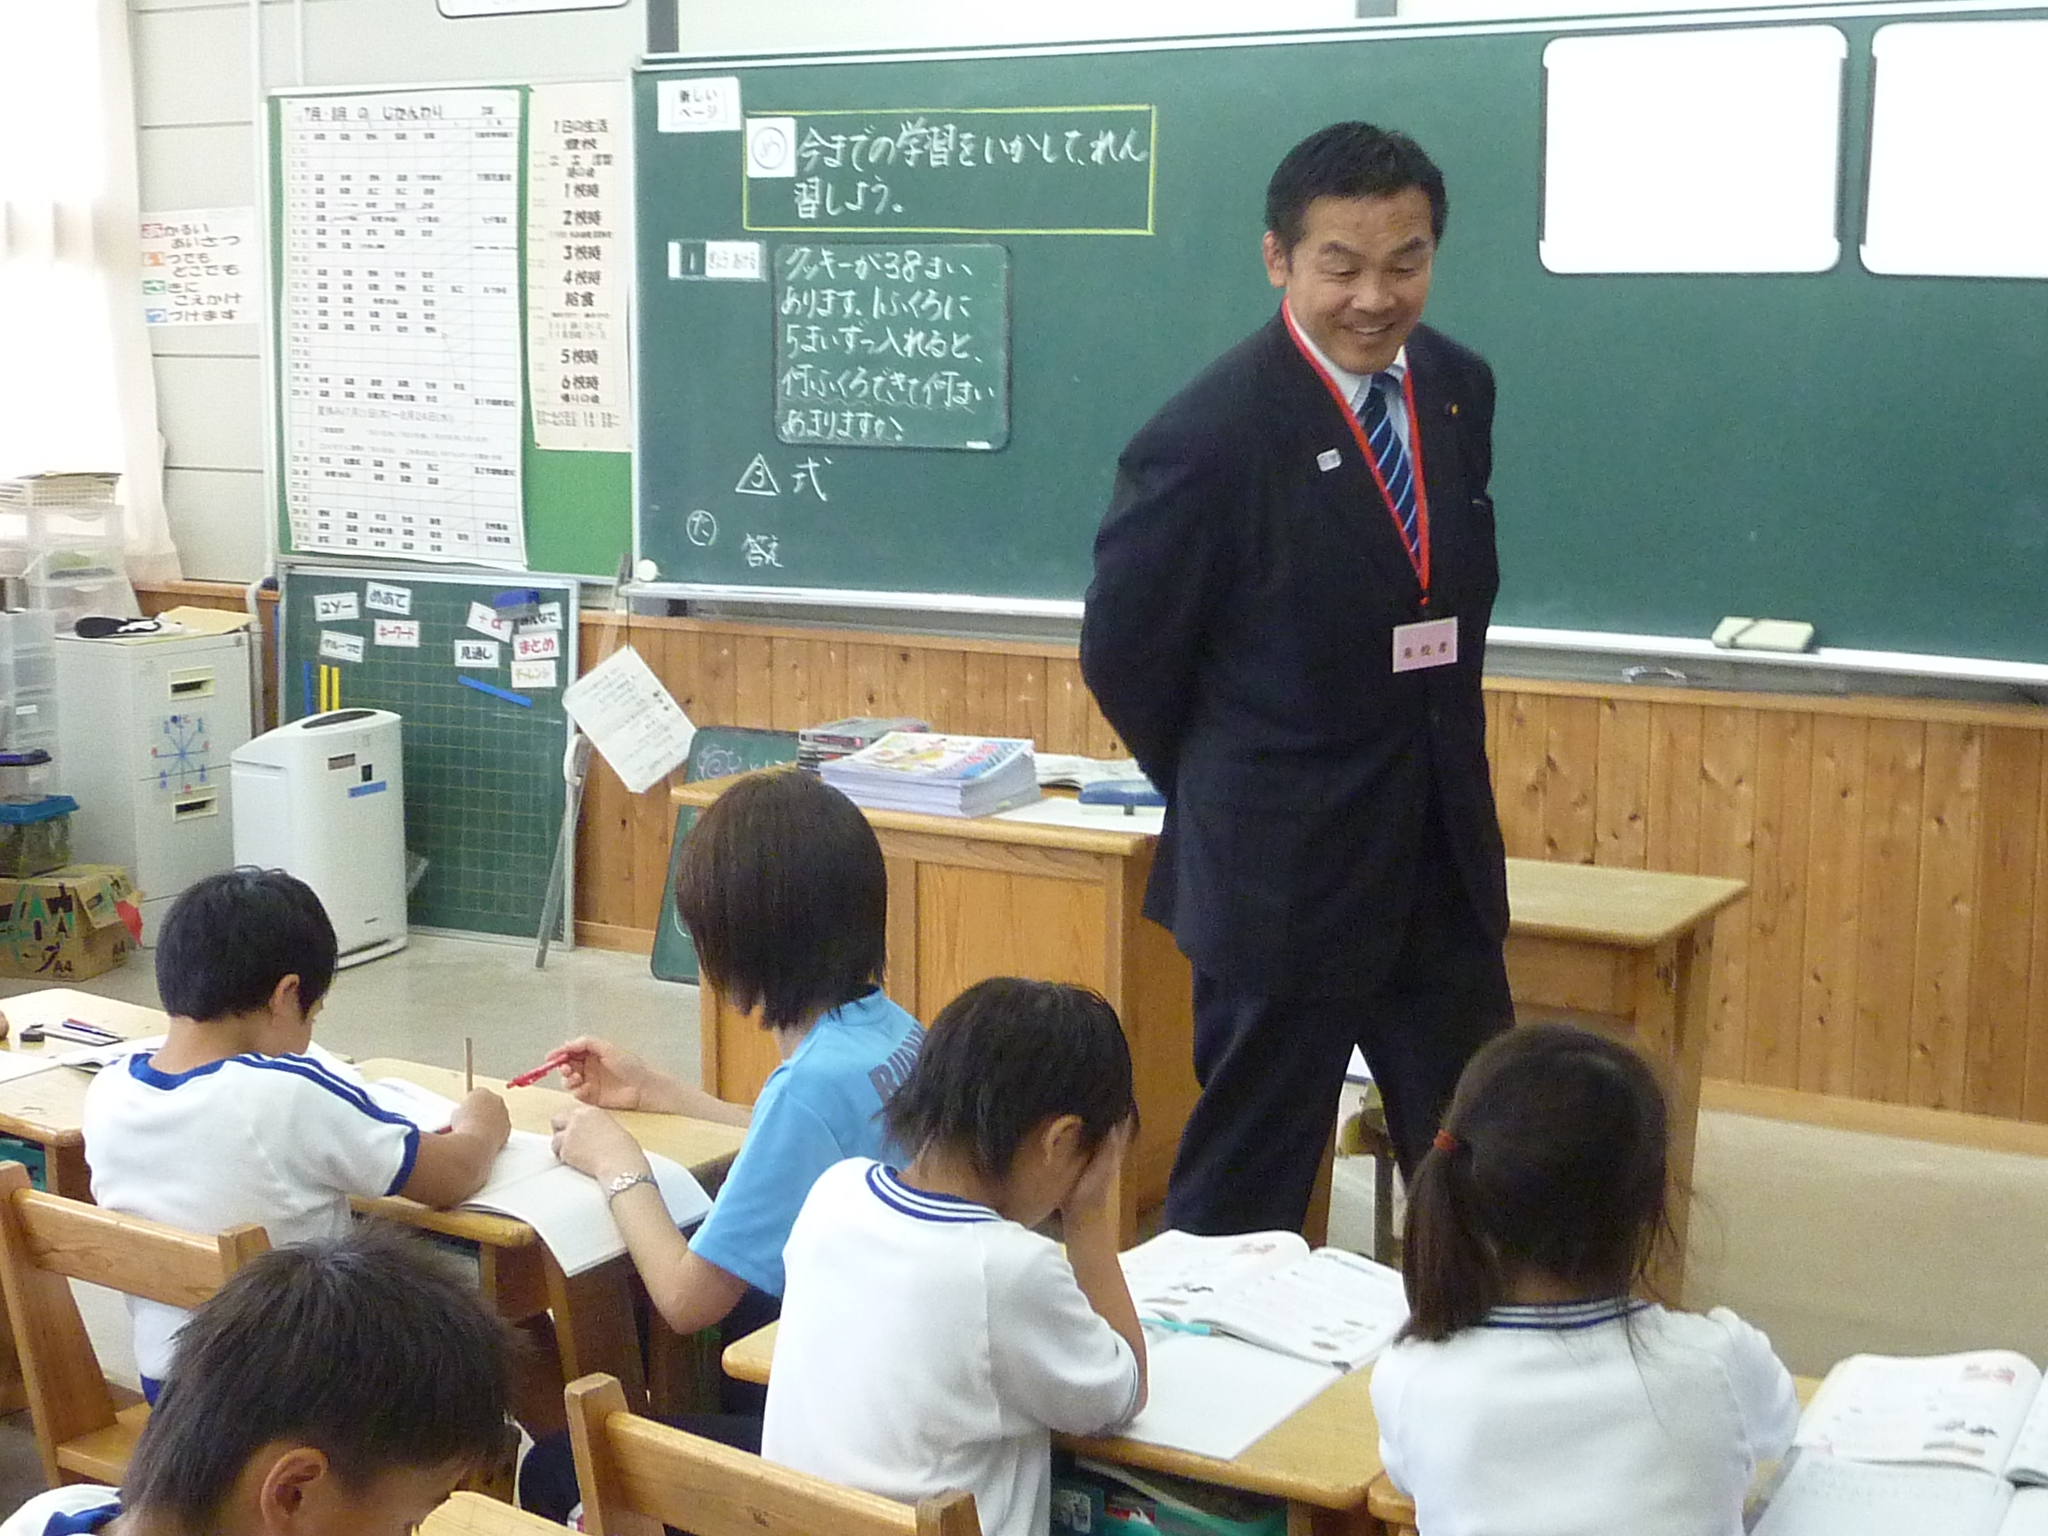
pixel 1287 628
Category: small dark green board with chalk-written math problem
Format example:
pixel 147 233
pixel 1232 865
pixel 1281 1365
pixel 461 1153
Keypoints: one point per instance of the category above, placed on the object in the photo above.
pixel 894 347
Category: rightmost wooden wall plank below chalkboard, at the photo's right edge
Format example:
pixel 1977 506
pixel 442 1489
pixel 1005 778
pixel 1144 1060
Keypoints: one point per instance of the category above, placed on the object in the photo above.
pixel 1996 1052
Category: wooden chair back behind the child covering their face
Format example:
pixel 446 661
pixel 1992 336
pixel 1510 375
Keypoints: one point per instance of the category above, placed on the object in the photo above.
pixel 640 1476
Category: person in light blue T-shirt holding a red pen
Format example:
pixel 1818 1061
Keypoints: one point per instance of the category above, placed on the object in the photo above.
pixel 783 888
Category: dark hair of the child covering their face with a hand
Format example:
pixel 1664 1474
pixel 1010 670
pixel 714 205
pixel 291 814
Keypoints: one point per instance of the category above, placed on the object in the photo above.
pixel 1005 1058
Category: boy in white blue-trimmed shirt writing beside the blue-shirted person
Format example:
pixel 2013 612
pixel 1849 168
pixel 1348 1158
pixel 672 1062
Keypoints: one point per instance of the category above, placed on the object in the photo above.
pixel 232 1121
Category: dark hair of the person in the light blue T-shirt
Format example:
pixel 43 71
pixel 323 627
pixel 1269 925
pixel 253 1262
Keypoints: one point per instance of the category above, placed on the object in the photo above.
pixel 783 888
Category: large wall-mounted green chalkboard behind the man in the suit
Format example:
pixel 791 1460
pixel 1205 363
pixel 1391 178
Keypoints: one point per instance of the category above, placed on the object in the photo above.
pixel 1670 450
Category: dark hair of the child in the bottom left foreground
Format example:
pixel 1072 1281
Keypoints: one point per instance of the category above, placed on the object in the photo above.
pixel 368 1349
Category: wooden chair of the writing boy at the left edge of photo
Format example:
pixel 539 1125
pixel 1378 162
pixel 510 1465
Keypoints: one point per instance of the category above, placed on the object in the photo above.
pixel 46 1242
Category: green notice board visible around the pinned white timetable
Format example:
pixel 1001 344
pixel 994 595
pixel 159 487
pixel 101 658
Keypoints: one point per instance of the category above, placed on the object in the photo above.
pixel 579 507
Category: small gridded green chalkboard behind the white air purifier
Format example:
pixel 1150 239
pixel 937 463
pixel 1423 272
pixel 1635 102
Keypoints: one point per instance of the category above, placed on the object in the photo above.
pixel 484 790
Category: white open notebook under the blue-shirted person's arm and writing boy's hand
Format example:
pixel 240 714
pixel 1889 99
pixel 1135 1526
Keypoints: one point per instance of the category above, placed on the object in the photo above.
pixel 531 1185
